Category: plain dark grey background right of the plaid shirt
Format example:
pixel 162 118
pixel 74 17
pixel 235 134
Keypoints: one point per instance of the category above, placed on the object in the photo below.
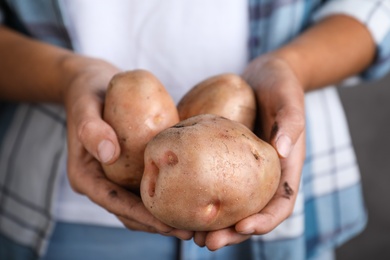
pixel 368 113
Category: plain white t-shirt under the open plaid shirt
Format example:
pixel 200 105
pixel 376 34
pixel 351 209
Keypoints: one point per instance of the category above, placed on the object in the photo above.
pixel 182 42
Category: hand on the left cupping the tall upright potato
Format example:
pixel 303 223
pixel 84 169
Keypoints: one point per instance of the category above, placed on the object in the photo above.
pixel 91 141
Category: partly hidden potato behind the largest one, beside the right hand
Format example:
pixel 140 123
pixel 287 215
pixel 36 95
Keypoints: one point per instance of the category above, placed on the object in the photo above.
pixel 226 95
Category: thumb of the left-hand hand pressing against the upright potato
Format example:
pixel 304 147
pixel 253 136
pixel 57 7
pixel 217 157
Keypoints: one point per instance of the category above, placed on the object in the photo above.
pixel 94 133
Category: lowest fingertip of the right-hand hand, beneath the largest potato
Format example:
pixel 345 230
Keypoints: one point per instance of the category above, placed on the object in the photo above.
pixel 224 237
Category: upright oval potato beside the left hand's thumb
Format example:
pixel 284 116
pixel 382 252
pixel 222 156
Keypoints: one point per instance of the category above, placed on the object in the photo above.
pixel 138 107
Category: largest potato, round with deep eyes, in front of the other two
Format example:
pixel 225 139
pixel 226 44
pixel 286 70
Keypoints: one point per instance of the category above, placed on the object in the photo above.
pixel 207 173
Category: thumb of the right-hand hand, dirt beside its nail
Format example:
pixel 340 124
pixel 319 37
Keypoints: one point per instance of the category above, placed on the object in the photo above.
pixel 288 126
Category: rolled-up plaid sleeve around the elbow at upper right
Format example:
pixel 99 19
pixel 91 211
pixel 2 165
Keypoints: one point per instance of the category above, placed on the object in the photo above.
pixel 375 15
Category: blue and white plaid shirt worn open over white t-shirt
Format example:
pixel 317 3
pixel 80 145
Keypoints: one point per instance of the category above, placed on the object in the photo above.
pixel 329 208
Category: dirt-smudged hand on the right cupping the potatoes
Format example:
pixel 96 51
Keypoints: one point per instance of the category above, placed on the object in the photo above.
pixel 281 119
